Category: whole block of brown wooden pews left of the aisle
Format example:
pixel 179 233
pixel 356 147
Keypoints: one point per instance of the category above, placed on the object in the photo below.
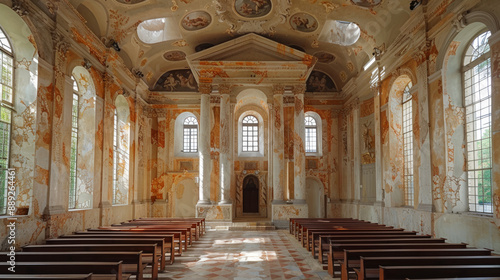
pixel 113 252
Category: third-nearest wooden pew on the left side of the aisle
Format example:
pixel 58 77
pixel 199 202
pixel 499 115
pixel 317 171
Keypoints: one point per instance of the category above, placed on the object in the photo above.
pixel 131 261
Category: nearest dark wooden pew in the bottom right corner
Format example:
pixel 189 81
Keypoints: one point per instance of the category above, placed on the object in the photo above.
pixel 402 272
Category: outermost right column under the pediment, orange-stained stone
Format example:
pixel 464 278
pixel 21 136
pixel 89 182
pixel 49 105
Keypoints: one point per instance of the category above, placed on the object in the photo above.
pixel 299 153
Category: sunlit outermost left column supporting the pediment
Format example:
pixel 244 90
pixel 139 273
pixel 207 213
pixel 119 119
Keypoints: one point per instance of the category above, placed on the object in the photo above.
pixel 204 144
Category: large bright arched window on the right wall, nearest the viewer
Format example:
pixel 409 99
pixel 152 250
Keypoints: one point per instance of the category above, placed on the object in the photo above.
pixel 477 101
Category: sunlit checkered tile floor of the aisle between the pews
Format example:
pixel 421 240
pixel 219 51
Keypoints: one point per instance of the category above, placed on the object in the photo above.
pixel 245 255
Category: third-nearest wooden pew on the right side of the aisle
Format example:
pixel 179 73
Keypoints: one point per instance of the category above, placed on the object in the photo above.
pixel 351 258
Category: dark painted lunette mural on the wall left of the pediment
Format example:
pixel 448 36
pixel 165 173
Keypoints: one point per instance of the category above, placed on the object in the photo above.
pixel 177 80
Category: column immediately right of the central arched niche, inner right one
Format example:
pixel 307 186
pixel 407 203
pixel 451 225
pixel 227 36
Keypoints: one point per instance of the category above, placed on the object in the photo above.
pixel 279 172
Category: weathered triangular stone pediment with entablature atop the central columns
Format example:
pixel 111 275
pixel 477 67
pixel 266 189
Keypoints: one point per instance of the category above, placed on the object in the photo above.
pixel 251 60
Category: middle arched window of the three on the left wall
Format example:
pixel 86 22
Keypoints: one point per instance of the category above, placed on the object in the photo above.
pixel 74 147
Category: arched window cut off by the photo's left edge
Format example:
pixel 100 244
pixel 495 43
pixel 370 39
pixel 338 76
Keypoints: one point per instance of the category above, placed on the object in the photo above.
pixel 6 106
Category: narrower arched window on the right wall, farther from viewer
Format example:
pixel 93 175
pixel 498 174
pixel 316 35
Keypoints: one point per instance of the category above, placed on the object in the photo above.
pixel 408 145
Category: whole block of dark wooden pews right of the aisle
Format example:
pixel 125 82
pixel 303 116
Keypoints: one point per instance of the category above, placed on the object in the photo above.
pixel 351 248
